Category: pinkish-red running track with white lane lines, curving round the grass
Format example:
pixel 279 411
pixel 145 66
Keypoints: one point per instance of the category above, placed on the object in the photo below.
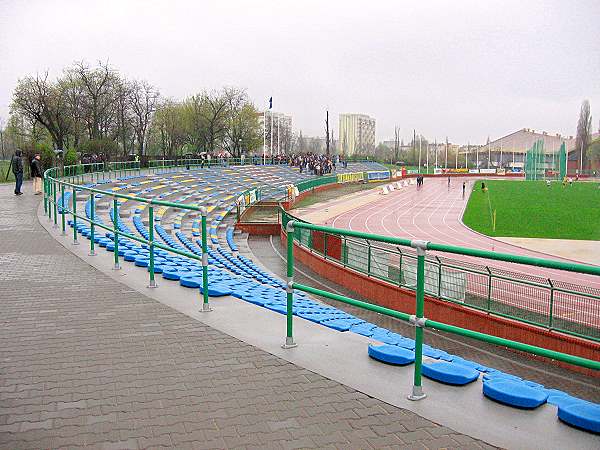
pixel 433 213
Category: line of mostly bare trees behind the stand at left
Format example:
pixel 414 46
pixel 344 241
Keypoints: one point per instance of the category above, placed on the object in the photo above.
pixel 97 110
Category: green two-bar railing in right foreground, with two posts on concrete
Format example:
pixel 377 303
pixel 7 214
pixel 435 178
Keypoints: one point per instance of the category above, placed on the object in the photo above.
pixel 293 228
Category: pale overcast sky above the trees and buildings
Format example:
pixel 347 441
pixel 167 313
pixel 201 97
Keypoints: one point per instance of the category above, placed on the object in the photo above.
pixel 462 69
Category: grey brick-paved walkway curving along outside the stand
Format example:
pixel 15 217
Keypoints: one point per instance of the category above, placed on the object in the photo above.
pixel 85 361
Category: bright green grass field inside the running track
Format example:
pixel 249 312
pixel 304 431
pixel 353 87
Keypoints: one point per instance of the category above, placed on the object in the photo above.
pixel 532 209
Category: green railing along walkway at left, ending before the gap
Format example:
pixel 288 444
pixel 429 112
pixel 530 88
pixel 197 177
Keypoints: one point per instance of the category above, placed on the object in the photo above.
pixel 53 181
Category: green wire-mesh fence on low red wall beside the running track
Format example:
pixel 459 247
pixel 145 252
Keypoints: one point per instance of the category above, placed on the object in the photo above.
pixel 526 298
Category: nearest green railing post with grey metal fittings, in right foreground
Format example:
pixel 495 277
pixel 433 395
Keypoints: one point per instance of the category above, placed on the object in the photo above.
pixel 418 320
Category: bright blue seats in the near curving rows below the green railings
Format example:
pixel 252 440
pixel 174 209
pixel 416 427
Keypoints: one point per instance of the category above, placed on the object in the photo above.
pixel 240 277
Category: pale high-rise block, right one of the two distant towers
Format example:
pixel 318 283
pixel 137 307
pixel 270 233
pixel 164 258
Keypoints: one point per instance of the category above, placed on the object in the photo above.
pixel 356 134
